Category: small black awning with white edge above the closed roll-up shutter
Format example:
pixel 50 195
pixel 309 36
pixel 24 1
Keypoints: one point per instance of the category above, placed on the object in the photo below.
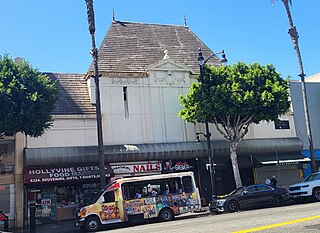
pixel 282 159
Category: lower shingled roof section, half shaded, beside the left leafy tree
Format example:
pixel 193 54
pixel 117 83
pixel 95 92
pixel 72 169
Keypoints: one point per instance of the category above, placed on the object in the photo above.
pixel 73 95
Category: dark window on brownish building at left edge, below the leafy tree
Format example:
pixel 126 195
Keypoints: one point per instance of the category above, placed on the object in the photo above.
pixel 6 157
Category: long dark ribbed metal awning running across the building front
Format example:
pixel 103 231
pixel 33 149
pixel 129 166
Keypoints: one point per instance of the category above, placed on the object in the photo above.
pixel 157 151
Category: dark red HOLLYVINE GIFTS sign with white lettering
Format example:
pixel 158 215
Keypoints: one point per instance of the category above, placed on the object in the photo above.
pixel 63 174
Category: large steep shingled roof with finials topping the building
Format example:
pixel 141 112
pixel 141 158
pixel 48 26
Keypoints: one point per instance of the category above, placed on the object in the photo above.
pixel 131 47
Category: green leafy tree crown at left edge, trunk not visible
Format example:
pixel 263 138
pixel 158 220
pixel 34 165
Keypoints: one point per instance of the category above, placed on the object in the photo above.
pixel 27 98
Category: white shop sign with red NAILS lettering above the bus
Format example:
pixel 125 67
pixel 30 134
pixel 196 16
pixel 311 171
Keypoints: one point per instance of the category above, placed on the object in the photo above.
pixel 136 168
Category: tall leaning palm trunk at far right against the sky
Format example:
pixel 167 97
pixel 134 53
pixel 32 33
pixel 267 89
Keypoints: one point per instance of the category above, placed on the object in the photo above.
pixel 294 37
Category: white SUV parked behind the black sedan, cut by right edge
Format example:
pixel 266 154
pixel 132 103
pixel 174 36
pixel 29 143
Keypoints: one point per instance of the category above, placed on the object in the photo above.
pixel 310 187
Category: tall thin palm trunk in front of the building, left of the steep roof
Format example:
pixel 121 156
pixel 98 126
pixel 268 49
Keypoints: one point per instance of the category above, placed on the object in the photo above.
pixel 94 53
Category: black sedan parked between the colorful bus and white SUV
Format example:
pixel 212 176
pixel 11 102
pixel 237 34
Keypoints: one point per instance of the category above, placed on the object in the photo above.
pixel 257 195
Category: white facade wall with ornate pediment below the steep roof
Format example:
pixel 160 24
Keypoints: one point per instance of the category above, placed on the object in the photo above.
pixel 152 113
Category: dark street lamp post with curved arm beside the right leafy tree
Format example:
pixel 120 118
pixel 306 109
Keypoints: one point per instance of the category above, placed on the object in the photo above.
pixel 207 134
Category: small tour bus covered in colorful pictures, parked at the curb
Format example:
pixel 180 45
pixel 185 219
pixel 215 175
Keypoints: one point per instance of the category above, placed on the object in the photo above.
pixel 139 198
